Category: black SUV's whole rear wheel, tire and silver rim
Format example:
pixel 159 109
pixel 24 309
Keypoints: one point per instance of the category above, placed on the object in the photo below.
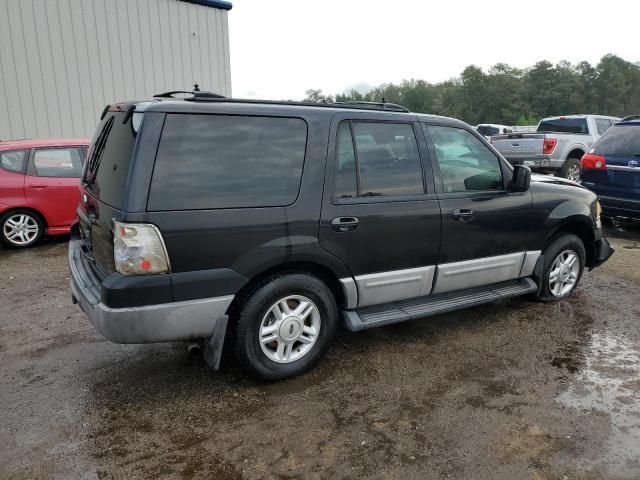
pixel 285 326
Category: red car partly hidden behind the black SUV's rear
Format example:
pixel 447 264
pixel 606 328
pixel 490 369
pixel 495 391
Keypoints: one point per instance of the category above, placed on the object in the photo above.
pixel 39 188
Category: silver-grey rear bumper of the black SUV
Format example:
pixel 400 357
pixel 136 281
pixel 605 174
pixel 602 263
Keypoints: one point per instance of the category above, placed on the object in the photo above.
pixel 165 322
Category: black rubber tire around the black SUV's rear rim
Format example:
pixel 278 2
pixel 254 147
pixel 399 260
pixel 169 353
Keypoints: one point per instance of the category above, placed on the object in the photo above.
pixel 249 318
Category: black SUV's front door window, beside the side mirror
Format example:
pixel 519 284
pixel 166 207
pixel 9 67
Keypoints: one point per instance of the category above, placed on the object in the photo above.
pixel 466 164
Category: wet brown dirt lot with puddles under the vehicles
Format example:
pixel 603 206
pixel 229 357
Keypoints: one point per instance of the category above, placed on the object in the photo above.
pixel 513 390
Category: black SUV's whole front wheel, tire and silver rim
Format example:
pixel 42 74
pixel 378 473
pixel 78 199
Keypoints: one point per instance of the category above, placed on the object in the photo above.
pixel 564 261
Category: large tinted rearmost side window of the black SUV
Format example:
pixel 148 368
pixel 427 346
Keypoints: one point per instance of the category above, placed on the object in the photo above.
pixel 224 161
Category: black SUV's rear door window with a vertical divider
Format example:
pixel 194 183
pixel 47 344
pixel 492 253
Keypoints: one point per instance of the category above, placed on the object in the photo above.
pixel 377 159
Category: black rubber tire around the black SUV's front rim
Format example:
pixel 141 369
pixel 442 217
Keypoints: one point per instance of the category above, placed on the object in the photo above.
pixel 559 245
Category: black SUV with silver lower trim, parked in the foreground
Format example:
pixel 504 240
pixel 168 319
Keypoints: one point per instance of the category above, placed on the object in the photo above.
pixel 270 223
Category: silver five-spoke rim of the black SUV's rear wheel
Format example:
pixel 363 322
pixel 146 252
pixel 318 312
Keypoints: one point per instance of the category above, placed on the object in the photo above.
pixel 290 329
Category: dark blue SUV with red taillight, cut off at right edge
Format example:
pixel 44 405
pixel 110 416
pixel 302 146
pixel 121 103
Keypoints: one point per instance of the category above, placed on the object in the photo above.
pixel 612 169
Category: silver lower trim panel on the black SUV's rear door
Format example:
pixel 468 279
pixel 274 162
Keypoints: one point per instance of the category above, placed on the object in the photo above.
pixel 385 287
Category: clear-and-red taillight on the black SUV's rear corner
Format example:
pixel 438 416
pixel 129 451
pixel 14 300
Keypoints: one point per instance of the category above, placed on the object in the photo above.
pixel 138 249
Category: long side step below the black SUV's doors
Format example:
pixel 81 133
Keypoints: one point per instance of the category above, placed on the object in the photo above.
pixel 379 315
